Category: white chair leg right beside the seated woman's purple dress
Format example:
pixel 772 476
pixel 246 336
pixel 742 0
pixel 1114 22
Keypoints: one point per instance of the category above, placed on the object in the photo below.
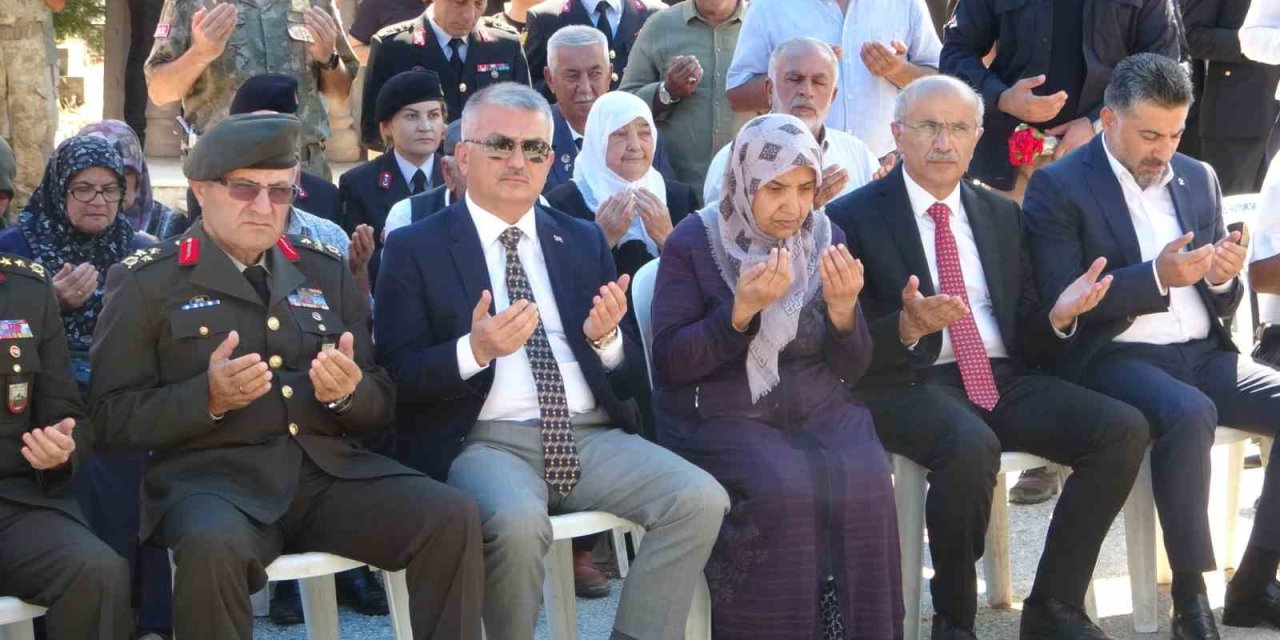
pixel 909 493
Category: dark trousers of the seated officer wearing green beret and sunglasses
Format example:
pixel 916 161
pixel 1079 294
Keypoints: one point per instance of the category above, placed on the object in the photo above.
pixel 391 523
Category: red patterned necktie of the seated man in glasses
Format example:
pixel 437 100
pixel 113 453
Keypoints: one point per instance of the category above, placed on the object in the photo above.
pixel 980 383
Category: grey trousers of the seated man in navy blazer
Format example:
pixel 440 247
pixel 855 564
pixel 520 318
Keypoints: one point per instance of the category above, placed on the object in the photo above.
pixel 679 505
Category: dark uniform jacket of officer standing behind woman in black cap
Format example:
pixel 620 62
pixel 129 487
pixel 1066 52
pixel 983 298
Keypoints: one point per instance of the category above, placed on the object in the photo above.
pixel 493 57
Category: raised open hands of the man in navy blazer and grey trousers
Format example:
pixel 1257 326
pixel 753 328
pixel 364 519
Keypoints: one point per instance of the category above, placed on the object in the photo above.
pixel 502 335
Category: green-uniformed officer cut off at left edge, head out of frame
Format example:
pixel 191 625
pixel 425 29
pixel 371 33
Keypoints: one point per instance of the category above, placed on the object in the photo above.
pixel 48 554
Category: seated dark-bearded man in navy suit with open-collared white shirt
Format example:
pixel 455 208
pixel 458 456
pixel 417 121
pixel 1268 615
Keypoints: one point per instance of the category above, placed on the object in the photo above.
pixel 1158 341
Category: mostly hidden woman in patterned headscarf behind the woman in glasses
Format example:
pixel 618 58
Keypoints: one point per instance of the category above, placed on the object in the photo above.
pixel 141 209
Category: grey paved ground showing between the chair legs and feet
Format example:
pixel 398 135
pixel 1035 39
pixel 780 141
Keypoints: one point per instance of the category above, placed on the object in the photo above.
pixel 1028 527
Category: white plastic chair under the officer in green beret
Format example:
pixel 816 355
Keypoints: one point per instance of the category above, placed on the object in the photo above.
pixel 314 573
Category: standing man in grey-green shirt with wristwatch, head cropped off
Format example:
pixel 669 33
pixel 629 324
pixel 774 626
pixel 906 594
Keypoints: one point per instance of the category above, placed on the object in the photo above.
pixel 679 66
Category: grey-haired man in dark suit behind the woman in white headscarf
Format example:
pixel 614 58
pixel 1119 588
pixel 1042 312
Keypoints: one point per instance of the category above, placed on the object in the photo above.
pixel 578 74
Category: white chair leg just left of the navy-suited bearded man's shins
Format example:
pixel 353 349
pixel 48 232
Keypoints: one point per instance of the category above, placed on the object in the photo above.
pixel 1140 527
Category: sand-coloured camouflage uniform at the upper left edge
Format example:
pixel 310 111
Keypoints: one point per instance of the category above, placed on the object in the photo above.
pixel 29 90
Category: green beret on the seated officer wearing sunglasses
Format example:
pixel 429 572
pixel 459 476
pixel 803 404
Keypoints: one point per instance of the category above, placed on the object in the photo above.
pixel 250 141
